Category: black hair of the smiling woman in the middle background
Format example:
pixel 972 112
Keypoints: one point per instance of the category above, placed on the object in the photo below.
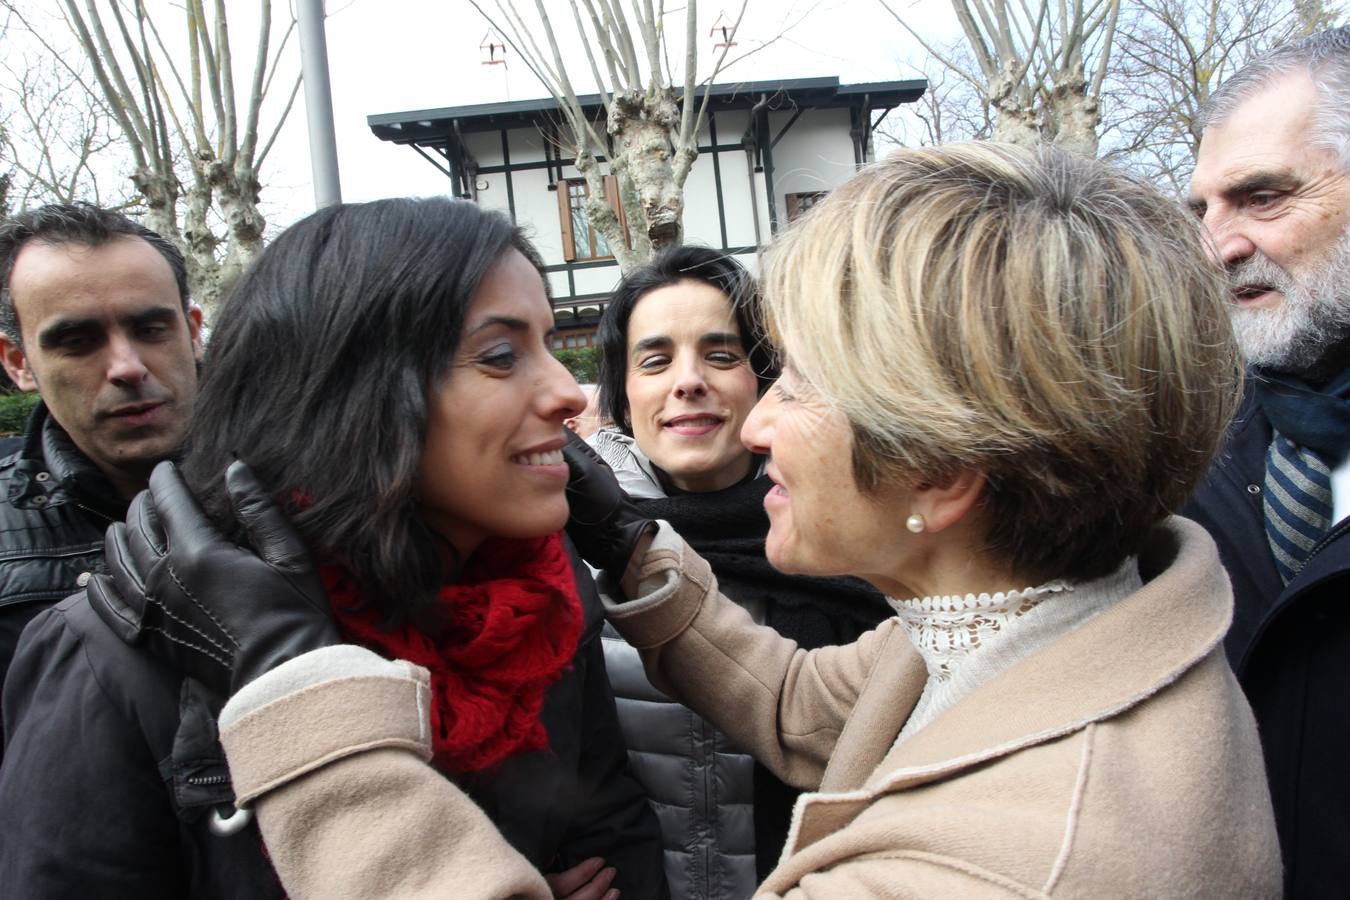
pixel 670 266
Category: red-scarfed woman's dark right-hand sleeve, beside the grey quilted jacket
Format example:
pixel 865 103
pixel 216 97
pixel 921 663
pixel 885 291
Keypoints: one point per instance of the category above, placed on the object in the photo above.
pixel 612 818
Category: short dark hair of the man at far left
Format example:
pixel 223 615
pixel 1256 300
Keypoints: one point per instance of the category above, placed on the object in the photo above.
pixel 79 223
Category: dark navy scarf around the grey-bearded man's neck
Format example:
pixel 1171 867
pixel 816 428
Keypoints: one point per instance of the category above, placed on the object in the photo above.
pixel 1310 415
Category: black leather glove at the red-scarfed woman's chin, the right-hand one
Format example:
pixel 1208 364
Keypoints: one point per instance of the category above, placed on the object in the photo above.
pixel 604 523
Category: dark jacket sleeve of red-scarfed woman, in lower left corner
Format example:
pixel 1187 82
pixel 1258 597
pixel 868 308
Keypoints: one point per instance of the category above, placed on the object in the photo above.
pixel 84 808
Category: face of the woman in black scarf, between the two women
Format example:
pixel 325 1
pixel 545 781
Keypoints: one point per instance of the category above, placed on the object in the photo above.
pixel 691 385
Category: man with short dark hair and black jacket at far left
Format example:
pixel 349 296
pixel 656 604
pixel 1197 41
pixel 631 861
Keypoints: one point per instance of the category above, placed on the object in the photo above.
pixel 95 316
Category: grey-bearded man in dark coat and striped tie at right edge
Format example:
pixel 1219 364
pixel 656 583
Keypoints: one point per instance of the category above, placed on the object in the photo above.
pixel 1272 186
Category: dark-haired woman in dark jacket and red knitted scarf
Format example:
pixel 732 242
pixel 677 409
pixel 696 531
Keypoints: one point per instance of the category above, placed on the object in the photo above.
pixel 384 369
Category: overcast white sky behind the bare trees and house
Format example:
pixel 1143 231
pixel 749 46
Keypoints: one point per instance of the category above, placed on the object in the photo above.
pixel 398 56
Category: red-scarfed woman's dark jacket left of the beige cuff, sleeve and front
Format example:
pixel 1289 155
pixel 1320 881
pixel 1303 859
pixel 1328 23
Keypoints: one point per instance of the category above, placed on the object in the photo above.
pixel 111 775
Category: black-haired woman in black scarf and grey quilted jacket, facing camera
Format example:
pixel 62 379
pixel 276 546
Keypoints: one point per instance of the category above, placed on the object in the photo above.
pixel 684 361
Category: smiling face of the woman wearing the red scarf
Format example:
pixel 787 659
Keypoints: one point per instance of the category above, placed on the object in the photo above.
pixel 493 459
